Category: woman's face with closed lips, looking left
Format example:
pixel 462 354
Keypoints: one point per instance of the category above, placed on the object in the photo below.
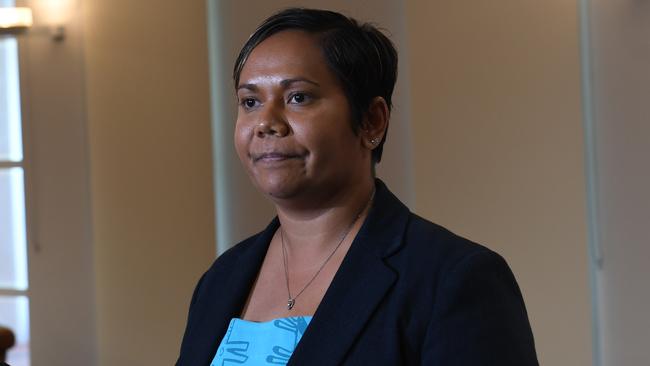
pixel 293 132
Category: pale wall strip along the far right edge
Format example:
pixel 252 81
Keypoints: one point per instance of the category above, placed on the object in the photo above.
pixel 620 79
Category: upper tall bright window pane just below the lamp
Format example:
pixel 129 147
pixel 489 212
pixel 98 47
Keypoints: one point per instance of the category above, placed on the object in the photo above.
pixel 10 118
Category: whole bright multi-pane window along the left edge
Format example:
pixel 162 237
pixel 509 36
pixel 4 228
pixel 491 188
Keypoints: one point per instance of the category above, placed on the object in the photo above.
pixel 14 303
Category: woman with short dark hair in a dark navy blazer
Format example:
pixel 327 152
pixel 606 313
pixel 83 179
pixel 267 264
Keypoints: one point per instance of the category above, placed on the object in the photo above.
pixel 345 274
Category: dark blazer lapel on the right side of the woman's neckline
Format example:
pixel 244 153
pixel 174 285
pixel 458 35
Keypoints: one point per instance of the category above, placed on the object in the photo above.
pixel 358 287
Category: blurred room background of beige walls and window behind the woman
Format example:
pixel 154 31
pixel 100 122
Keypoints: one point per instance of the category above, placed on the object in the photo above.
pixel 522 125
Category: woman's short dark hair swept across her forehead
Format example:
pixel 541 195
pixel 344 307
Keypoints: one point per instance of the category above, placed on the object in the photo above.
pixel 363 59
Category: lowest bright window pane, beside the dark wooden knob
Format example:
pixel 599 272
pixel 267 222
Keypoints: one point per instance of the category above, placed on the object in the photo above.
pixel 14 314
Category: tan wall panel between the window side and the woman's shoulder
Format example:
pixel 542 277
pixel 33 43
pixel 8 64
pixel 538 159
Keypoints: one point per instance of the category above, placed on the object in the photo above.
pixel 150 158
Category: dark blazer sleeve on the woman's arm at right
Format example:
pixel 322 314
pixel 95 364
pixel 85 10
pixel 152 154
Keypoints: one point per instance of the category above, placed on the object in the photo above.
pixel 479 317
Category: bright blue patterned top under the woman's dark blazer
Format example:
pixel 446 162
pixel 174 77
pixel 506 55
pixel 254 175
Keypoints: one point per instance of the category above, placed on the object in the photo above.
pixel 260 343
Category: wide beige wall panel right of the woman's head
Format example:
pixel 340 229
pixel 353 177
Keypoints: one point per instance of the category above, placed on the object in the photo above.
pixel 498 149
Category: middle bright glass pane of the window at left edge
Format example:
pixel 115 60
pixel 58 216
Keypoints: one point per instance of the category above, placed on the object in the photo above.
pixel 13 243
